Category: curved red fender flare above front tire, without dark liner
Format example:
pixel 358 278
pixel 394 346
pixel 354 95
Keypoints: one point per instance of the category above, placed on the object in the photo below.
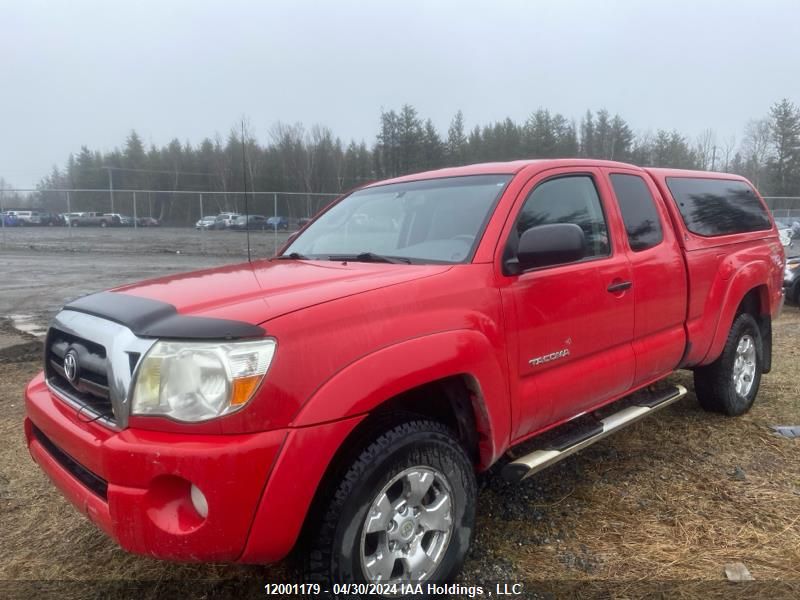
pixel 366 383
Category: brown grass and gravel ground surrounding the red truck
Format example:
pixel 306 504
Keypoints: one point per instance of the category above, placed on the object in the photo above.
pixel 656 510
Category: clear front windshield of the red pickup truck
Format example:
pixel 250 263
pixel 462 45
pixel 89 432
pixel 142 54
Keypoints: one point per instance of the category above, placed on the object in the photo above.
pixel 435 220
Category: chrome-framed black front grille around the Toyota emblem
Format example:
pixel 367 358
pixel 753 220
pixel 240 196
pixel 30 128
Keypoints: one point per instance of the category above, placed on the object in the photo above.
pixel 105 354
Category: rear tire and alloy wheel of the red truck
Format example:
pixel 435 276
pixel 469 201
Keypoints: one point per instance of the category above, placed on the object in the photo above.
pixel 730 384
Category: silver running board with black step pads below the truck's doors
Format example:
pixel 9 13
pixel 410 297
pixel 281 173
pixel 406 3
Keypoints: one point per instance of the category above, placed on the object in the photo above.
pixel 563 446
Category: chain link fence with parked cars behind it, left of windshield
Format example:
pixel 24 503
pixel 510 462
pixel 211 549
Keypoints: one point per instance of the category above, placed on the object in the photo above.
pixel 148 221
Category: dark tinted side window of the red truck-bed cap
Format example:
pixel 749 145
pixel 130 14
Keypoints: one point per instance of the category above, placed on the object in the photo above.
pixel 718 206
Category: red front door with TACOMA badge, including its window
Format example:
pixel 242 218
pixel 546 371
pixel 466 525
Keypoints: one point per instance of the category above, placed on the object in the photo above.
pixel 573 323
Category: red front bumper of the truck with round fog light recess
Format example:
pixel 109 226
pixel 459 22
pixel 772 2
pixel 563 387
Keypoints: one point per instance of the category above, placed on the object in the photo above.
pixel 135 484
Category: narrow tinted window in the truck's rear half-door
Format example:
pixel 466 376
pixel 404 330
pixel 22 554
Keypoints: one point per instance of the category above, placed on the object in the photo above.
pixel 639 212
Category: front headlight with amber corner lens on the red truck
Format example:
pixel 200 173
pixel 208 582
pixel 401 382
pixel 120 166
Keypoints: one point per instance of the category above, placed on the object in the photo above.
pixel 197 381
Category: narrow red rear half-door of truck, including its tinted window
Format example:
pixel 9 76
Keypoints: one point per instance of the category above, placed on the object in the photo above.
pixel 659 275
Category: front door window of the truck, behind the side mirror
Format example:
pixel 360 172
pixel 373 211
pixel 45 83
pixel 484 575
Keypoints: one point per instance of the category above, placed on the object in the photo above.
pixel 570 199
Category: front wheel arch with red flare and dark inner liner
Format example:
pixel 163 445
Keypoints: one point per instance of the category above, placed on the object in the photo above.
pixel 455 377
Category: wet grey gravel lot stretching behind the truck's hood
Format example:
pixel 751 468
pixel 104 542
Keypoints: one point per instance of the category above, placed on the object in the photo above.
pixel 48 266
